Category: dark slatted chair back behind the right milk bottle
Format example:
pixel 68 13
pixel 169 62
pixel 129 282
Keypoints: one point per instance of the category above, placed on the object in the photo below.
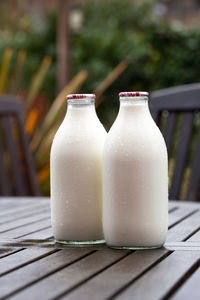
pixel 176 111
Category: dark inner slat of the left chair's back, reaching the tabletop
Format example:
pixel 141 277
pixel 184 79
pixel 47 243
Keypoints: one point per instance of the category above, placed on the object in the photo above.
pixel 13 152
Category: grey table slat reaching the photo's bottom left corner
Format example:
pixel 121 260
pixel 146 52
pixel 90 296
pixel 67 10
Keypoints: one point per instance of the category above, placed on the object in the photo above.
pixel 37 270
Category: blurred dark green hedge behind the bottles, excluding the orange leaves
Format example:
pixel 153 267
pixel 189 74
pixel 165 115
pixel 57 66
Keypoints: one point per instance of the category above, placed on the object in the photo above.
pixel 159 54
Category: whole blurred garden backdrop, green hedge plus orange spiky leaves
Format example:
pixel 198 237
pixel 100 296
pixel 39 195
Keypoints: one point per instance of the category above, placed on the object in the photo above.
pixel 112 46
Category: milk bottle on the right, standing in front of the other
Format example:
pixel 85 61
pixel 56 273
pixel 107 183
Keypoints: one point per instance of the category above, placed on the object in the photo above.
pixel 135 178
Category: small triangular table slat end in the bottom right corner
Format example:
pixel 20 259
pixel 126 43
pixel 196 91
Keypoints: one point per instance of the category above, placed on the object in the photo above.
pixel 190 289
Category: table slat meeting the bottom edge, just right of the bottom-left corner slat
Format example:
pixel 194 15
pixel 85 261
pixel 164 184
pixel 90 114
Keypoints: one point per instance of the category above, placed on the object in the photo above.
pixel 69 277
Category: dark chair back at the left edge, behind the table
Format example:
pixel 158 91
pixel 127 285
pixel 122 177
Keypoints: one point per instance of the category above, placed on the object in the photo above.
pixel 17 172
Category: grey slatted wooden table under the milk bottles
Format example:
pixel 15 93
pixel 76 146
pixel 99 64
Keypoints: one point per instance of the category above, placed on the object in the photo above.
pixel 32 266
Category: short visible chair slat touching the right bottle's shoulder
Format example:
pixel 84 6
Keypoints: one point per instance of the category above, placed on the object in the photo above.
pixel 168 131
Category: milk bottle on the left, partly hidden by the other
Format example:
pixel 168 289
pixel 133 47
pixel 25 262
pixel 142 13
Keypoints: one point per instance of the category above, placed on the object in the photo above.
pixel 76 174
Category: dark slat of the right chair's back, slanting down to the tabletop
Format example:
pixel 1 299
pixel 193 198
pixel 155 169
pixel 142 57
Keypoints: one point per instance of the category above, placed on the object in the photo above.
pixel 181 154
